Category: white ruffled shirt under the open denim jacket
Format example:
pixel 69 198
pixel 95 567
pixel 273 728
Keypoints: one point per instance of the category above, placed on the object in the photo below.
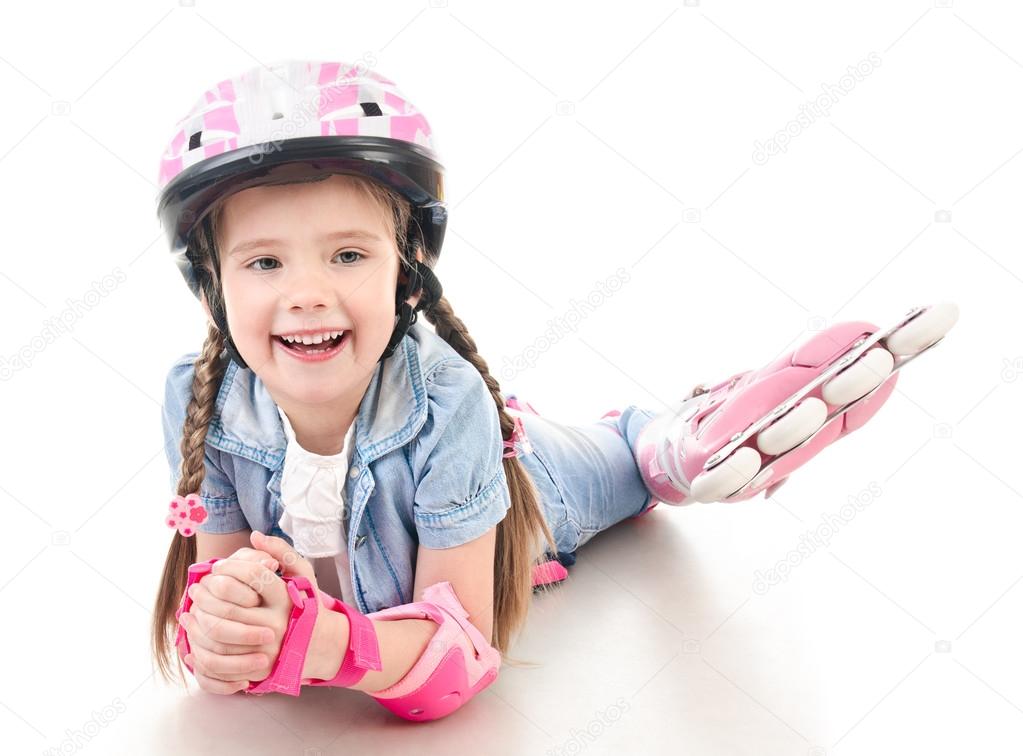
pixel 313 495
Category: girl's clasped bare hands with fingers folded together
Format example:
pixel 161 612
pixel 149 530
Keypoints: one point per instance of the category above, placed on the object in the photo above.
pixel 240 614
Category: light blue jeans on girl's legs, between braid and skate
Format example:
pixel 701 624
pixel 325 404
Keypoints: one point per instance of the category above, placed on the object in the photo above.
pixel 587 475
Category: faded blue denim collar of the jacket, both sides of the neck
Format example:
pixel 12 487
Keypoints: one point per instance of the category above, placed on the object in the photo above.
pixel 247 423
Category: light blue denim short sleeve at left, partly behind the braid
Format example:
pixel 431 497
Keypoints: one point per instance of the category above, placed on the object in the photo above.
pixel 218 494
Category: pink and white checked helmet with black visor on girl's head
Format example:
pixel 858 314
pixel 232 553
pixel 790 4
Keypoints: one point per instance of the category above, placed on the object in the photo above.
pixel 295 119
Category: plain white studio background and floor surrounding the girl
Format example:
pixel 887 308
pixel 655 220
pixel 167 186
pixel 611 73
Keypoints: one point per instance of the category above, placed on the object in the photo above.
pixel 580 139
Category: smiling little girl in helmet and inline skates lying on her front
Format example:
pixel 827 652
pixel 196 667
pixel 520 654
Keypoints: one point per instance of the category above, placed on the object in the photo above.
pixel 359 504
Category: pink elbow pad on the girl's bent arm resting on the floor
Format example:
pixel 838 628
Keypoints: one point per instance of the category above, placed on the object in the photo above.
pixel 458 663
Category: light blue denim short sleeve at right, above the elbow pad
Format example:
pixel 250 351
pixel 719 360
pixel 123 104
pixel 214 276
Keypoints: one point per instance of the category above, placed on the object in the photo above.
pixel 461 487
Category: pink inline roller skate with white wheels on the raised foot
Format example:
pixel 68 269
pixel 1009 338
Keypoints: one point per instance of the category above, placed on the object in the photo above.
pixel 750 432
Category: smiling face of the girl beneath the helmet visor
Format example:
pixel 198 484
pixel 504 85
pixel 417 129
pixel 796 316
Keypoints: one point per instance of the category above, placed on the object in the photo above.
pixel 309 256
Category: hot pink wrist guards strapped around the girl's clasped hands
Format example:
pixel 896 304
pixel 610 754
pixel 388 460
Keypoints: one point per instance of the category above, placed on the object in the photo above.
pixel 286 678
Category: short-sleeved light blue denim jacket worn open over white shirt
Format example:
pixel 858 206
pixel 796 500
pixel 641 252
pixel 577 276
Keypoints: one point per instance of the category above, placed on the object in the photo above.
pixel 427 466
